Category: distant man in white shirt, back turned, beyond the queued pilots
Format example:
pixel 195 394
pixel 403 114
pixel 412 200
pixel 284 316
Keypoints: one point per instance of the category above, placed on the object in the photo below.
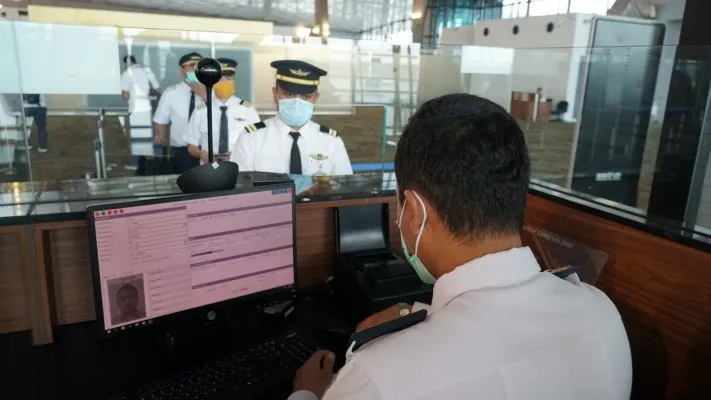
pixel 137 84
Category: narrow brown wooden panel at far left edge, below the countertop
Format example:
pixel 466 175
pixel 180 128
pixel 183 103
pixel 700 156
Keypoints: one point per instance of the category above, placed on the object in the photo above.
pixel 14 314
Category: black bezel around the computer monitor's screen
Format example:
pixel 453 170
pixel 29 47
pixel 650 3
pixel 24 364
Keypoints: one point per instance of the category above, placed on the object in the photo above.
pixel 192 313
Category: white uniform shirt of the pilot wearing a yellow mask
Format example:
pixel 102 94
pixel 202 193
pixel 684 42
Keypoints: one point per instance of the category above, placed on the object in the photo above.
pixel 238 117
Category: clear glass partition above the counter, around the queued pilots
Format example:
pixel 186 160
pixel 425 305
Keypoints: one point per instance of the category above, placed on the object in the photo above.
pixel 594 117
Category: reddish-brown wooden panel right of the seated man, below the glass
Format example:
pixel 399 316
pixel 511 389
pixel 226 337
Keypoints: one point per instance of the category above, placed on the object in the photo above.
pixel 663 292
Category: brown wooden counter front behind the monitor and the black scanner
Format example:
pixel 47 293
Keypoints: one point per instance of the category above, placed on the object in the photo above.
pixel 58 288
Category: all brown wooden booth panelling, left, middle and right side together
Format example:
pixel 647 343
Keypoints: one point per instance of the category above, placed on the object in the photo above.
pixel 661 287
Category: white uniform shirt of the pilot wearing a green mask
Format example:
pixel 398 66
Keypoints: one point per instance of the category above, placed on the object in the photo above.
pixel 174 108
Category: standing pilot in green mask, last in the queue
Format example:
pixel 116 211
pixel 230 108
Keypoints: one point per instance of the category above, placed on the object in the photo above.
pixel 175 108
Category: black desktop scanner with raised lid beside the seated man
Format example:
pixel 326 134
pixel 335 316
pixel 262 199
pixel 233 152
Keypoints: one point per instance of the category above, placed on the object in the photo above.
pixel 368 275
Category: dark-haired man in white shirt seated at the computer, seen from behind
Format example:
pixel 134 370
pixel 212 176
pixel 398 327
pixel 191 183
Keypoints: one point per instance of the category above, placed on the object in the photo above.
pixel 498 328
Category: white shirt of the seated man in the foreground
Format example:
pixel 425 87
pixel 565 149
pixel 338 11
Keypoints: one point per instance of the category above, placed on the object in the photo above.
pixel 498 329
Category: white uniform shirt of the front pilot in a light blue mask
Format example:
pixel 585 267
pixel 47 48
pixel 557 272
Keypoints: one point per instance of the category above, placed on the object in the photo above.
pixel 269 149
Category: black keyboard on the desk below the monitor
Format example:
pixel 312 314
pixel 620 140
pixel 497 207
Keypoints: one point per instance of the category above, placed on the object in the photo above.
pixel 246 374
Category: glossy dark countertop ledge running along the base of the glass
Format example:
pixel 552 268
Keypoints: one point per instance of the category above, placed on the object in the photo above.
pixel 34 202
